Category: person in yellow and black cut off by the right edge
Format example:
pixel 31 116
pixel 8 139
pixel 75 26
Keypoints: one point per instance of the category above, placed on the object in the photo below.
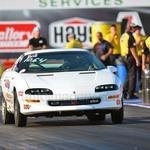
pixel 146 54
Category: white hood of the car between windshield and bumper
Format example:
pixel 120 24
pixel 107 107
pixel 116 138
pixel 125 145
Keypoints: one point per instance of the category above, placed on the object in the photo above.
pixel 70 81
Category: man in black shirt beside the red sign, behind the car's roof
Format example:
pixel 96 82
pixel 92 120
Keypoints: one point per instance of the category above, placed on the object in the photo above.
pixel 37 42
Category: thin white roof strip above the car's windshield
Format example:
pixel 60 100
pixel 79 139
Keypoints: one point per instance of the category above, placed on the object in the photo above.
pixel 54 50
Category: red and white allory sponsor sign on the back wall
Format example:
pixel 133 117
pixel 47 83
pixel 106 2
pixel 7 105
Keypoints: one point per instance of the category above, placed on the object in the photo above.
pixel 15 35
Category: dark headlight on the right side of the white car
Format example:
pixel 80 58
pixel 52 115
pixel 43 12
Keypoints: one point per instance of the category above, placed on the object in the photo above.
pixel 106 87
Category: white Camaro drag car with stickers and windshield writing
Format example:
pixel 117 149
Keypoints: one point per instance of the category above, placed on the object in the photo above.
pixel 60 82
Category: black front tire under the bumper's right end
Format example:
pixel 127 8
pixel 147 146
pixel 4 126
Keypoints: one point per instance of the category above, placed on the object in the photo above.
pixel 117 116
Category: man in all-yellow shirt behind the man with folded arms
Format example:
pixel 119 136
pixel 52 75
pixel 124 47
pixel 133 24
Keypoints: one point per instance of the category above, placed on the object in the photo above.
pixel 114 39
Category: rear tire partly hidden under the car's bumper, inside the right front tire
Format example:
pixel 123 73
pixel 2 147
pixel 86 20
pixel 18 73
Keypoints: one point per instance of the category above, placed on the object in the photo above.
pixel 93 117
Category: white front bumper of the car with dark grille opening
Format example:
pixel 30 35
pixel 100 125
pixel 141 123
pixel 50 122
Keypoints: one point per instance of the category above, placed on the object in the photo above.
pixel 40 104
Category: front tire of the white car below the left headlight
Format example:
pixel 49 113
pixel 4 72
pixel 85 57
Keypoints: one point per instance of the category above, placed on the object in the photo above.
pixel 20 119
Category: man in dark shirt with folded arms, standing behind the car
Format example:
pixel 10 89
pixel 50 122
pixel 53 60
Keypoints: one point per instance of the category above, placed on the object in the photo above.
pixel 103 49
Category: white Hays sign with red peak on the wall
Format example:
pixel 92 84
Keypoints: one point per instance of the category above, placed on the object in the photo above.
pixel 58 31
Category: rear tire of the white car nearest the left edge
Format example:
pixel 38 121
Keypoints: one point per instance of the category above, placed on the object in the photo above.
pixel 7 117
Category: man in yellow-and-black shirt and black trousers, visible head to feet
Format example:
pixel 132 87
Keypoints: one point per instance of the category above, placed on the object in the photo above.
pixel 131 60
